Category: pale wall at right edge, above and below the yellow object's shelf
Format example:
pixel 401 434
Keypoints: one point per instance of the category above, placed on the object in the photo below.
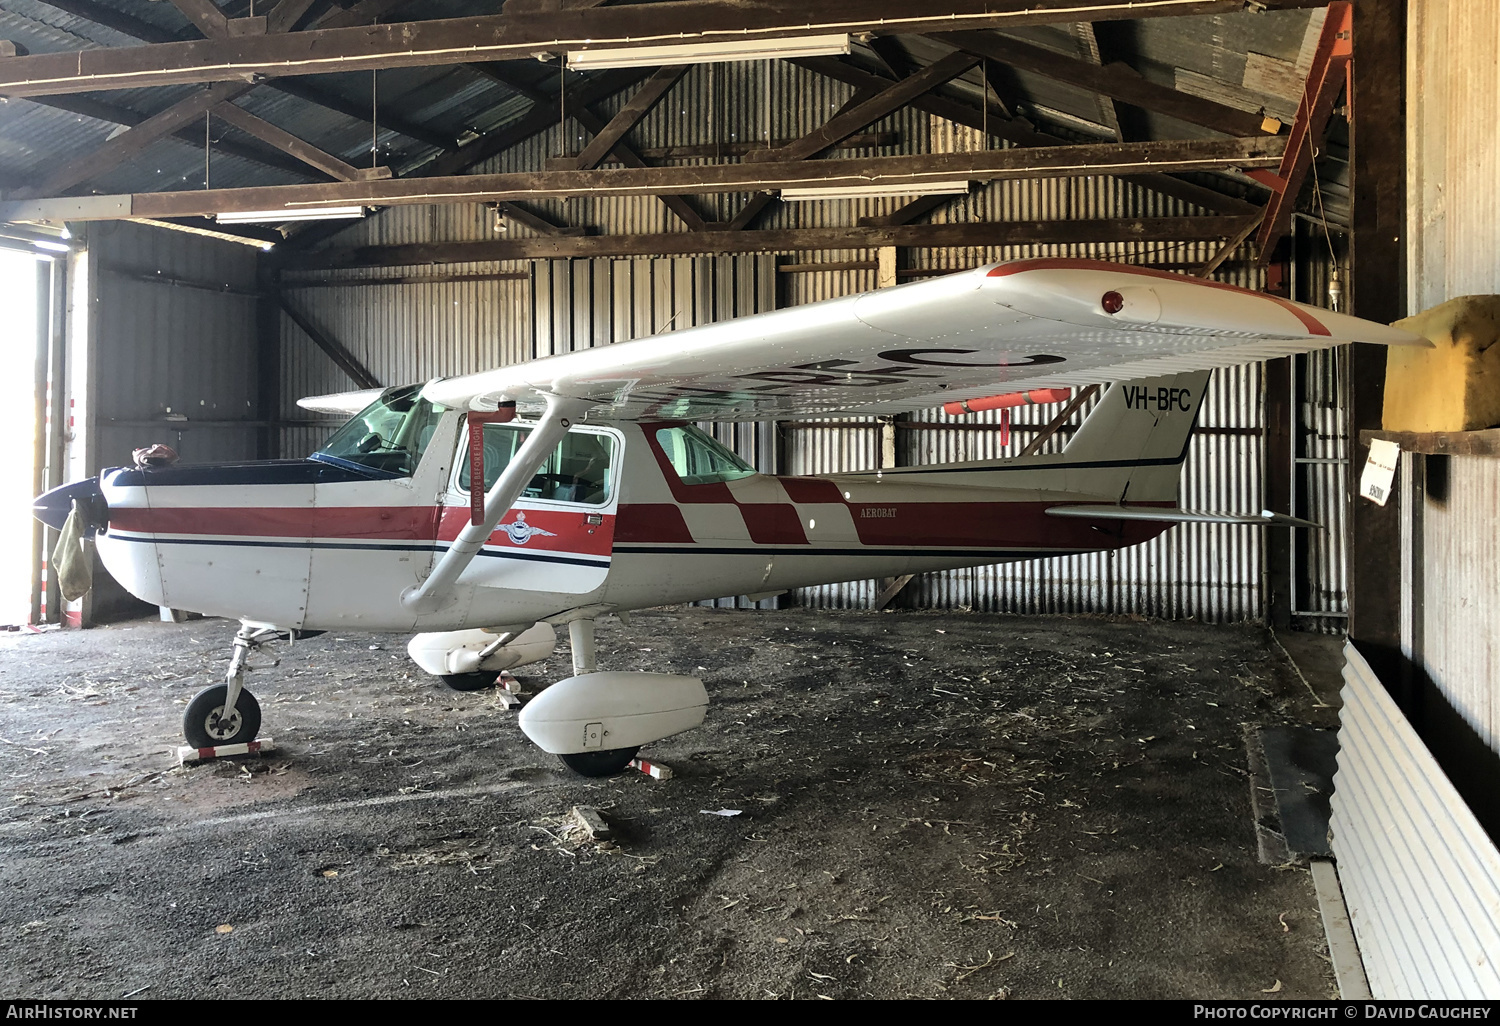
pixel 1454 214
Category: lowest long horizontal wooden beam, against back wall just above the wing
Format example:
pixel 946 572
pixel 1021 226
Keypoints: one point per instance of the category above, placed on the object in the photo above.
pixel 1012 233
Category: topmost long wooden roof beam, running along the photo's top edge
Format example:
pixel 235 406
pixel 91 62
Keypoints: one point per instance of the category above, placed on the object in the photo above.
pixel 518 37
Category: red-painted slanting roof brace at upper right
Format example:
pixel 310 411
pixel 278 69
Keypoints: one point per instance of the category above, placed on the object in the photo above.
pixel 1324 85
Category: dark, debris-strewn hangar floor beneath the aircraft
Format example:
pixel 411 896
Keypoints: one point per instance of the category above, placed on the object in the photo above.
pixel 931 806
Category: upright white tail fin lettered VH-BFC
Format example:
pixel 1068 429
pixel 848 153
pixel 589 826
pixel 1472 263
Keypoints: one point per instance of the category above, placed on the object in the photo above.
pixel 1142 428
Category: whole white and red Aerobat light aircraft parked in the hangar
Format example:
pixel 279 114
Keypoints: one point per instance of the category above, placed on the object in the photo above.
pixel 482 511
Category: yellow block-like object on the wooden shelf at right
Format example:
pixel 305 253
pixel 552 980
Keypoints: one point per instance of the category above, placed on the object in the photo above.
pixel 1454 386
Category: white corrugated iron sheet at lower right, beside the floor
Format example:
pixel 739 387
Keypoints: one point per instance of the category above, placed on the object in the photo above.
pixel 1421 878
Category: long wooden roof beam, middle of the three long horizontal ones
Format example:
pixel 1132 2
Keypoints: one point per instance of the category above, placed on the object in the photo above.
pixel 1030 163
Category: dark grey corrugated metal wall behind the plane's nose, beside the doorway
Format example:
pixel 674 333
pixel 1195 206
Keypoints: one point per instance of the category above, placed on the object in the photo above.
pixel 175 335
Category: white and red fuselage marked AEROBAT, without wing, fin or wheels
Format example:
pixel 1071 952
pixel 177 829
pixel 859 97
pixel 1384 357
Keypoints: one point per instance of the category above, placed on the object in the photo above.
pixel 316 545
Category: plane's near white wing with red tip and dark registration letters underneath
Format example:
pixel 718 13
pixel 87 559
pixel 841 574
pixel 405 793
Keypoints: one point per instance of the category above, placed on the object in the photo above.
pixel 1025 325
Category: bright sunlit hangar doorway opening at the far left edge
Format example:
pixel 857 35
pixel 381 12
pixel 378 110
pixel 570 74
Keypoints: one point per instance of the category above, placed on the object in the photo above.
pixel 20 277
